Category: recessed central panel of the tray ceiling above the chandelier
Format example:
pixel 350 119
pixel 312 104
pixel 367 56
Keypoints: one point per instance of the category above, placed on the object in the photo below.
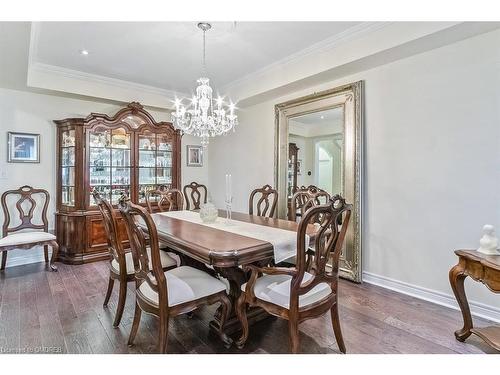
pixel 168 55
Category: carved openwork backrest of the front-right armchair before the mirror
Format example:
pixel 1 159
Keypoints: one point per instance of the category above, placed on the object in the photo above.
pixel 328 242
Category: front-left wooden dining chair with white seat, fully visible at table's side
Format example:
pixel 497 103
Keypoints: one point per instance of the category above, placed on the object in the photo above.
pixel 166 293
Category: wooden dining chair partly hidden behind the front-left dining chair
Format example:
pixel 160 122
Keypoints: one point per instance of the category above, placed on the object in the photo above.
pixel 121 265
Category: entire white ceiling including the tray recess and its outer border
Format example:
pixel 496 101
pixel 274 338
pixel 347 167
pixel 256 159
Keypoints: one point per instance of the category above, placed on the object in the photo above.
pixel 250 62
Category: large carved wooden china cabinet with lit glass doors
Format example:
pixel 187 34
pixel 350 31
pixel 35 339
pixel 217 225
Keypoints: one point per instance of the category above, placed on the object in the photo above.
pixel 127 153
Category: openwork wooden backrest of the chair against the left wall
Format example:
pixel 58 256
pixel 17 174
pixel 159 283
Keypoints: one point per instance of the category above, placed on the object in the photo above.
pixel 25 206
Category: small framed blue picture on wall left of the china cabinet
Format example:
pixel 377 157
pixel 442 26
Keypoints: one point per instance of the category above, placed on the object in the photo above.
pixel 23 148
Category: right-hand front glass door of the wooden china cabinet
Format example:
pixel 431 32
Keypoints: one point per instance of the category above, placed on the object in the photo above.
pixel 155 163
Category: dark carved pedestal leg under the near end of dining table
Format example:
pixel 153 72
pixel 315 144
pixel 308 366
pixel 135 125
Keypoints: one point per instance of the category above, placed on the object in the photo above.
pixel 236 277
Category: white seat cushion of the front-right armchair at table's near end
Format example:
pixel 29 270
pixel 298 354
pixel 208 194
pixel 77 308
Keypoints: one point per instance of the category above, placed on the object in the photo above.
pixel 276 289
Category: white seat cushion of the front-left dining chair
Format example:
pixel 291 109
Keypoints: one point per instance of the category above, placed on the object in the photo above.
pixel 185 284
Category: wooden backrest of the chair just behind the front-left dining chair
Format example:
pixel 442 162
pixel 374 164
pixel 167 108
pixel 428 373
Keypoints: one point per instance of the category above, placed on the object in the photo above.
pixel 110 223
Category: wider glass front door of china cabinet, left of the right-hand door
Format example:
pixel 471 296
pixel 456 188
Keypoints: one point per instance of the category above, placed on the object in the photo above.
pixel 109 163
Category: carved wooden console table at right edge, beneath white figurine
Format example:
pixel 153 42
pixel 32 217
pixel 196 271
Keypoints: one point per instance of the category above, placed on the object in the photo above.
pixel 483 268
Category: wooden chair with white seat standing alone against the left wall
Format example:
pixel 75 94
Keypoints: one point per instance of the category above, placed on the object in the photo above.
pixel 26 206
